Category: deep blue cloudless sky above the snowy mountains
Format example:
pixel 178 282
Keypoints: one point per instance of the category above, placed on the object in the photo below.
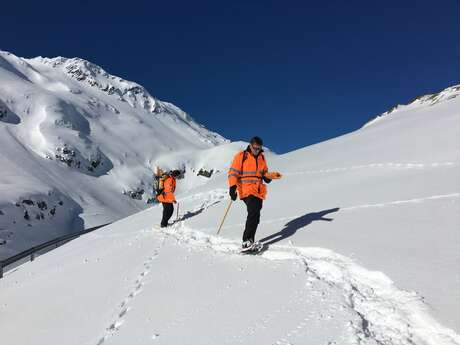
pixel 292 72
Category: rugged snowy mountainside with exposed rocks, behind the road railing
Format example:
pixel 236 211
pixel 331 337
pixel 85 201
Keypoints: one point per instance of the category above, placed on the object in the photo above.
pixel 73 139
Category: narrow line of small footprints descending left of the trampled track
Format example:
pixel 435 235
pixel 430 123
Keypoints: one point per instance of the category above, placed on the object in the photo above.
pixel 124 306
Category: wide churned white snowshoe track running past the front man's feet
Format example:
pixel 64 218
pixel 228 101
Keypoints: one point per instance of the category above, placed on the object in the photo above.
pixel 385 314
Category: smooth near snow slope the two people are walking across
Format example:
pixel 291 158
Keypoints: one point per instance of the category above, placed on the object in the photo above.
pixel 363 236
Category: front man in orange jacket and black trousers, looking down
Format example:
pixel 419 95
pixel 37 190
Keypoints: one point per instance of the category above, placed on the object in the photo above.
pixel 247 176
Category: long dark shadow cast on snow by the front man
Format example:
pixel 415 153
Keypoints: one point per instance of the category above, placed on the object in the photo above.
pixel 291 227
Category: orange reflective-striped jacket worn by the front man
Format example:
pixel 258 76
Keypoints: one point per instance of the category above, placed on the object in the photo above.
pixel 247 173
